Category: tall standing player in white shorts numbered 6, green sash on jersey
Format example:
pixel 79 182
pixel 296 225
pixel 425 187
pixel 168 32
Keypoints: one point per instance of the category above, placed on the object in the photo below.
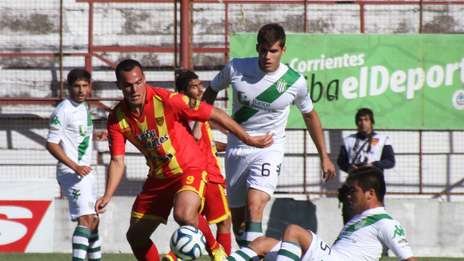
pixel 263 88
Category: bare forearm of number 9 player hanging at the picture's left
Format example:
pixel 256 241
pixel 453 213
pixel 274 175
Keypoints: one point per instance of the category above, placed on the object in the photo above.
pixel 115 173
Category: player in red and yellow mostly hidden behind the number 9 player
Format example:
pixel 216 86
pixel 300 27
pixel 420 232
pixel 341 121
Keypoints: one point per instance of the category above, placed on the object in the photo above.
pixel 216 209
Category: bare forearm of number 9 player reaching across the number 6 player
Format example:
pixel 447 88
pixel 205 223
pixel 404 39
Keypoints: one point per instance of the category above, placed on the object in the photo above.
pixel 220 117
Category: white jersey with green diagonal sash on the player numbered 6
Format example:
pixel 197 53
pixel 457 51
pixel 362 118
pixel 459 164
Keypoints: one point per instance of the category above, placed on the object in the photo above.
pixel 261 100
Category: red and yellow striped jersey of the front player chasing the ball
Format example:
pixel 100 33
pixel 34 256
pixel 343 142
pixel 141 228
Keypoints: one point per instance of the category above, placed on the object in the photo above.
pixel 161 132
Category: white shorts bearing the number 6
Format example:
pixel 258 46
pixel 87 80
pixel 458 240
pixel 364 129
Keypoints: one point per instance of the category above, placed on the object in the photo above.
pixel 255 168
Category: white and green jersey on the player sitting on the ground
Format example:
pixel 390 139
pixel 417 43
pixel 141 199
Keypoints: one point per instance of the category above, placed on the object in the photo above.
pixel 362 237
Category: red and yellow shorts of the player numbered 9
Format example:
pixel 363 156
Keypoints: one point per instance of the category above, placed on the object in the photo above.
pixel 157 196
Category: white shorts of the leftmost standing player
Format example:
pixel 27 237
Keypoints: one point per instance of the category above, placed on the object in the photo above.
pixel 81 192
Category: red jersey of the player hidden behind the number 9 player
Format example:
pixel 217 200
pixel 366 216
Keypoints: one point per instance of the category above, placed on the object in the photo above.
pixel 208 147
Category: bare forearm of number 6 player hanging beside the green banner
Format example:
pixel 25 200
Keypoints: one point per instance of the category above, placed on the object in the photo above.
pixel 313 124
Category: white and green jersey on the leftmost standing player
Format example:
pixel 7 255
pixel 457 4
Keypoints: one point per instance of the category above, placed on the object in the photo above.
pixel 71 127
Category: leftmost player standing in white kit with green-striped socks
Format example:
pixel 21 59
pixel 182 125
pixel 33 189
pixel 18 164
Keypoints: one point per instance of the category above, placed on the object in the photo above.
pixel 70 141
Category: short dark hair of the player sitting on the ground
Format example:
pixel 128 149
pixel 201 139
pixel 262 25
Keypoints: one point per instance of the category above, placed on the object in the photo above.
pixel 369 178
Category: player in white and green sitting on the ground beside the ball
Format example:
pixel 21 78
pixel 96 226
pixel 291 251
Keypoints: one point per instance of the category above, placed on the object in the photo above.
pixel 362 238
